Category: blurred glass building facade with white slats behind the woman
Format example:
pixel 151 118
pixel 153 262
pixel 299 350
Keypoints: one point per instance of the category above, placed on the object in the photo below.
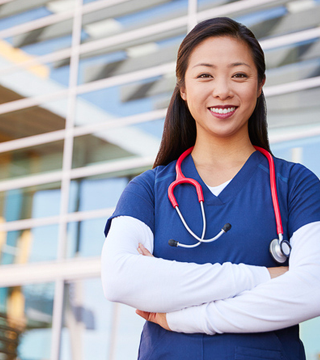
pixel 84 86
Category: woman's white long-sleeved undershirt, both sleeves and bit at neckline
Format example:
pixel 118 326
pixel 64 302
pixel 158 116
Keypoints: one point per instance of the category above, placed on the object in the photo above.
pixel 247 302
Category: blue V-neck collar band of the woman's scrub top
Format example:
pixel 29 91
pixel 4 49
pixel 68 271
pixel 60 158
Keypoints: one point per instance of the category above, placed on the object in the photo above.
pixel 235 185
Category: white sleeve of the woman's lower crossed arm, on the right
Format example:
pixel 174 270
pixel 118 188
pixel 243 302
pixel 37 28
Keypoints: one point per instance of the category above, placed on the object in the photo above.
pixel 278 303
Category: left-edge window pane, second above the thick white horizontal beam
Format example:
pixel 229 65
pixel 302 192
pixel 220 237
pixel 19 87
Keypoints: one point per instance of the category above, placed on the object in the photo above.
pixel 30 202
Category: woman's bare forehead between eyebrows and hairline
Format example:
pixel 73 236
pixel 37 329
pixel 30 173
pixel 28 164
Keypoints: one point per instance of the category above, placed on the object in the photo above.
pixel 221 50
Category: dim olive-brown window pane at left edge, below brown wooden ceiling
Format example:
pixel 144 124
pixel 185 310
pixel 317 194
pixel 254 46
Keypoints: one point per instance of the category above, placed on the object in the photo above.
pixel 32 160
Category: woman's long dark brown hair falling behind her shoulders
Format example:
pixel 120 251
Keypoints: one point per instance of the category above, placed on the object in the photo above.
pixel 179 131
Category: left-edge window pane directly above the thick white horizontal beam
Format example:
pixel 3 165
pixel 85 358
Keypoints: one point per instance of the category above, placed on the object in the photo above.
pixel 29 245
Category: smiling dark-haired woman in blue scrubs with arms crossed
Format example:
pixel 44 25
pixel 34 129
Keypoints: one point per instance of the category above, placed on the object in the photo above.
pixel 228 299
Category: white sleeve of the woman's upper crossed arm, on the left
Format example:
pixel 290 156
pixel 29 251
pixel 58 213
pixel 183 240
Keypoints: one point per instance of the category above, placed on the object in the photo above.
pixel 160 285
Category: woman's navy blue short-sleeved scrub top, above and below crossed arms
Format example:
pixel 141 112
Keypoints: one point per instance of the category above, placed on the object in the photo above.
pixel 245 203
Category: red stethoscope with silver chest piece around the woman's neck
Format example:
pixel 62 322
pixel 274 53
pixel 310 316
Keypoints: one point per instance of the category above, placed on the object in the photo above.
pixel 279 248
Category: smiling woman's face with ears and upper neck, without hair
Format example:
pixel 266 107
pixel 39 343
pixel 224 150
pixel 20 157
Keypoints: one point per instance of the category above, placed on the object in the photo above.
pixel 221 87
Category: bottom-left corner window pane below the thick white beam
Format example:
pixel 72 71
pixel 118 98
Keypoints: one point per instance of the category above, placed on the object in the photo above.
pixel 26 321
